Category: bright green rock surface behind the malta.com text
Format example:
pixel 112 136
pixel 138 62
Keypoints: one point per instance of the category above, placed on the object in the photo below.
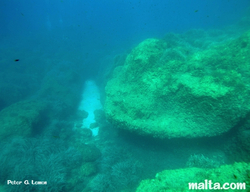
pixel 179 179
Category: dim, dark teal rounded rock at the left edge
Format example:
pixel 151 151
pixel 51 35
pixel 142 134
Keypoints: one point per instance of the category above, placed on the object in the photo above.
pixel 22 118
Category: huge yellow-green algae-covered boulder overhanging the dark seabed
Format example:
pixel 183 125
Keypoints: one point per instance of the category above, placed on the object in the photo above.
pixel 165 93
